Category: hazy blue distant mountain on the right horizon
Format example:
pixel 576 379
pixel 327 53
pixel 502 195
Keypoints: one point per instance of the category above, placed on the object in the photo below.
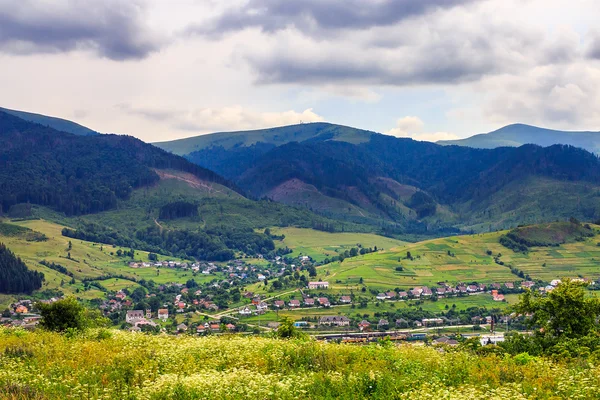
pixel 519 134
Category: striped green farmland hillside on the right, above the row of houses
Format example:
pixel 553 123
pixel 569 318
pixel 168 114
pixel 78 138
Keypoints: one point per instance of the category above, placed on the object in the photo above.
pixel 461 259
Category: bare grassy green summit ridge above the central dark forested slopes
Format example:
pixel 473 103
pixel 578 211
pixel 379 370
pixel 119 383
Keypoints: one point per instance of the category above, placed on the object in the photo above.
pixel 314 131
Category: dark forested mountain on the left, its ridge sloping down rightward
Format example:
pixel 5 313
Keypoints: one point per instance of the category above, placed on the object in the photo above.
pixel 78 174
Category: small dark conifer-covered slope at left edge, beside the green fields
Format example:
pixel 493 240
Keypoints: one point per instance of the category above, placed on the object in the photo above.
pixel 14 275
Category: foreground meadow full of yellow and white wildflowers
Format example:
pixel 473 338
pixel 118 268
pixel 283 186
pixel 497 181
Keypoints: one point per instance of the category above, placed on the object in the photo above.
pixel 121 365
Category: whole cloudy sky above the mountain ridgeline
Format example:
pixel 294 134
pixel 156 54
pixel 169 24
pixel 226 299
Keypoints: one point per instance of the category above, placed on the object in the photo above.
pixel 426 69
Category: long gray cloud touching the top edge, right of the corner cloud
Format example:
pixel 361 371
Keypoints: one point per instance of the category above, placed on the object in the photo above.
pixel 315 16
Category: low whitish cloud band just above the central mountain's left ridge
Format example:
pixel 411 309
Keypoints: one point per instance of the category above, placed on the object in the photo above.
pixel 207 120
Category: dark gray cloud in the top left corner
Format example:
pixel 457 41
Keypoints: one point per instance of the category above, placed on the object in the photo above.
pixel 113 29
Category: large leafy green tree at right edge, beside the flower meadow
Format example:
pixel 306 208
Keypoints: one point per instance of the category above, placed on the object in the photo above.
pixel 565 312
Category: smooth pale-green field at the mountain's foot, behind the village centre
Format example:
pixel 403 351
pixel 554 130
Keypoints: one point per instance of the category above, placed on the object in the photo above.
pixel 320 245
